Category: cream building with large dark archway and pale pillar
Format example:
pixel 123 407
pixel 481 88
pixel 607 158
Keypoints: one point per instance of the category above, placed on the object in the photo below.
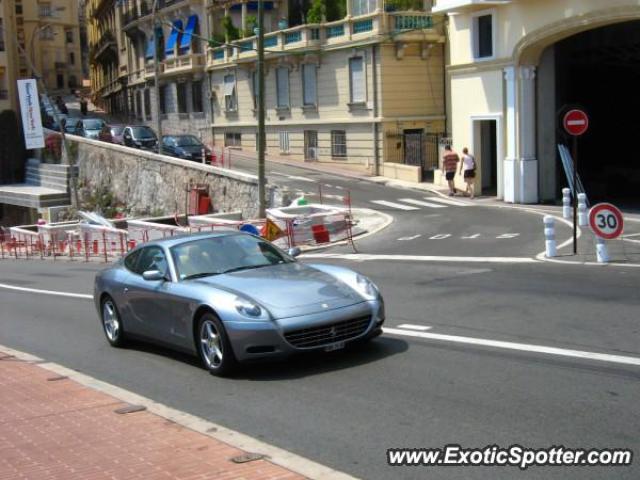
pixel 516 66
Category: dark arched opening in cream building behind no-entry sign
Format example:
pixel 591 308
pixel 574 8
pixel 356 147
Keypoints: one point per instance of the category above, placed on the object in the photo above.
pixel 599 70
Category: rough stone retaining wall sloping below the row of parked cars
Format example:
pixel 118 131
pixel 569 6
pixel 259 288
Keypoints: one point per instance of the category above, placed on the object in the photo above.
pixel 147 183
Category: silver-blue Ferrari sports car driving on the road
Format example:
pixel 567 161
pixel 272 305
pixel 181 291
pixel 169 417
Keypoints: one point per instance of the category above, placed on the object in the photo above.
pixel 233 297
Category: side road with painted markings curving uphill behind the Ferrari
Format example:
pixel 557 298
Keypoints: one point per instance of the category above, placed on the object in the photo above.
pixel 430 225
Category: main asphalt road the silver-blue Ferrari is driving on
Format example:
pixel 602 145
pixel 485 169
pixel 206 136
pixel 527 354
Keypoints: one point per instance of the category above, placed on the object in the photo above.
pixel 346 409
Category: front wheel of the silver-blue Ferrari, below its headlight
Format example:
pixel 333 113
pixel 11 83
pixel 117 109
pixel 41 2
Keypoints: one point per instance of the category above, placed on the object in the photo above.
pixel 214 346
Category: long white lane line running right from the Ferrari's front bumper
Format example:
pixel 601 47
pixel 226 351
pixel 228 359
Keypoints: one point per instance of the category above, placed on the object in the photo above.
pixel 523 347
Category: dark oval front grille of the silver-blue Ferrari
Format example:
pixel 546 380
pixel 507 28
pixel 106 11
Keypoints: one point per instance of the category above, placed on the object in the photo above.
pixel 327 334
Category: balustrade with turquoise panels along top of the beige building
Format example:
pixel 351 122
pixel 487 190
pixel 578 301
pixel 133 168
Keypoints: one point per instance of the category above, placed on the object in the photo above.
pixel 399 25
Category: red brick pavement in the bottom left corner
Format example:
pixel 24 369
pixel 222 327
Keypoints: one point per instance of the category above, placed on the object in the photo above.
pixel 52 428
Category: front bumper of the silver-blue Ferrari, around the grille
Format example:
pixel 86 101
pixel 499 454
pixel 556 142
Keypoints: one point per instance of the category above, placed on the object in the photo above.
pixel 259 340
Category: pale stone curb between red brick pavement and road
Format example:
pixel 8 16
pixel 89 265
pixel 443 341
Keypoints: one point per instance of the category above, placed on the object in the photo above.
pixel 275 455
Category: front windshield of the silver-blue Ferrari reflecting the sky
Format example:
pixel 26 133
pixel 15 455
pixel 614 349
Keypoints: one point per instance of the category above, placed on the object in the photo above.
pixel 225 254
